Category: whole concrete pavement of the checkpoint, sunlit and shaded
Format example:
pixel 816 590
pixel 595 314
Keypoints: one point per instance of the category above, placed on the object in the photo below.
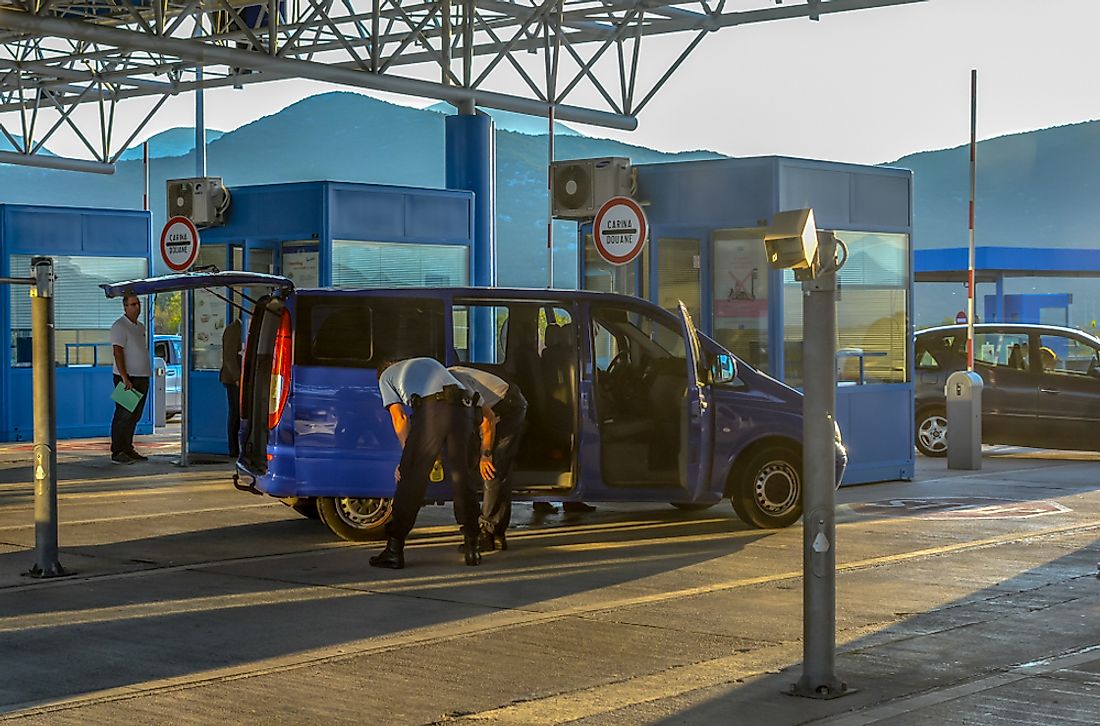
pixel 962 599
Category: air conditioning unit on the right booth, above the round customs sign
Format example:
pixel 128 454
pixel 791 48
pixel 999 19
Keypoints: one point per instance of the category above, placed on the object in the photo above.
pixel 582 185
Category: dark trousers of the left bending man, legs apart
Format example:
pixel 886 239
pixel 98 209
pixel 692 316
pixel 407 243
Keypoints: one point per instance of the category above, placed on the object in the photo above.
pixel 438 430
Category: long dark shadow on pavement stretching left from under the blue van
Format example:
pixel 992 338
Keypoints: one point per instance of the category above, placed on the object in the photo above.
pixel 179 612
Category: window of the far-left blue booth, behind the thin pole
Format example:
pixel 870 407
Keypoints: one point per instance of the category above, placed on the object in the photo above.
pixel 83 315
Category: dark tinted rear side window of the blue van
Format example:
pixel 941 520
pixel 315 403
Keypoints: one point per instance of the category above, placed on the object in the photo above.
pixel 360 333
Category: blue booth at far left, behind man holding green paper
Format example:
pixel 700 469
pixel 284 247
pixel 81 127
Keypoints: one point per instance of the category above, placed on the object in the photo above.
pixel 90 247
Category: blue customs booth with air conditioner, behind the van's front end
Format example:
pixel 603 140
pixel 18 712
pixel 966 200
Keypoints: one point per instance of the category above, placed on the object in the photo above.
pixel 707 249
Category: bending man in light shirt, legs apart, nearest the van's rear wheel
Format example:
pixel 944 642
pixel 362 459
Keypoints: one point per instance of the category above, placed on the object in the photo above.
pixel 442 424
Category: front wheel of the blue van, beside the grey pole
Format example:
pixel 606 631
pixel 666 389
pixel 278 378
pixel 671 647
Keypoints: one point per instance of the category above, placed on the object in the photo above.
pixel 769 493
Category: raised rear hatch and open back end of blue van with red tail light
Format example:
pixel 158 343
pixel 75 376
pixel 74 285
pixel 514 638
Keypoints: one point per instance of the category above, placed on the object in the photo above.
pixel 266 368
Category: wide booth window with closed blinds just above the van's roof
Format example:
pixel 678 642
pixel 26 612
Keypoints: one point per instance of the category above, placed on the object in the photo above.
pixel 400 265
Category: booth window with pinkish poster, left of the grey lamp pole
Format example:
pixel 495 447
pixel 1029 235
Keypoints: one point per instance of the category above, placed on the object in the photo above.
pixel 741 294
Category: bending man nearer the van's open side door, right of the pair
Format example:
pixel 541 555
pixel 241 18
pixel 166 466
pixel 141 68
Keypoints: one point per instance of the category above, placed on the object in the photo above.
pixel 504 417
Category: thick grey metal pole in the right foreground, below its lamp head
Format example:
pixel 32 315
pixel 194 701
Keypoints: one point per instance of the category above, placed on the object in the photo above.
pixel 819 471
